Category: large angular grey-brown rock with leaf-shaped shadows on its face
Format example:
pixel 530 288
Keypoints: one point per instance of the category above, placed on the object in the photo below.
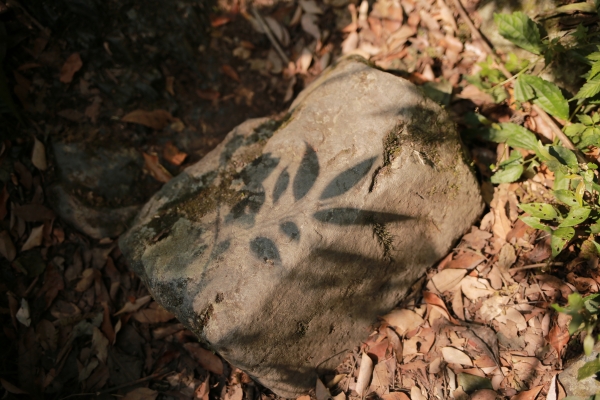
pixel 282 246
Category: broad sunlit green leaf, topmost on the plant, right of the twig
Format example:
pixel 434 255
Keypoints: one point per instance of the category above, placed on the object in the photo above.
pixel 521 30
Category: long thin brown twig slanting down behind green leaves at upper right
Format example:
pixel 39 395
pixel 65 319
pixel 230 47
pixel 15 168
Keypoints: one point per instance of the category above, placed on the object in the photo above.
pixel 543 115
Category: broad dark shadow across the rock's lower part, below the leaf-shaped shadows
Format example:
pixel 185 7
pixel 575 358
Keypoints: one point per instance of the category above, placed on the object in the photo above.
pixel 361 283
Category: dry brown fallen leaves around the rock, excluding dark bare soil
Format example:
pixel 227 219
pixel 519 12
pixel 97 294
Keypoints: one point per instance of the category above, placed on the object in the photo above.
pixel 482 326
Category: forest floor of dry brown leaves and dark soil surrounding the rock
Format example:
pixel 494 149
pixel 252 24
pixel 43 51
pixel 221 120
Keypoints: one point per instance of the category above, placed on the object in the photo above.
pixel 77 322
